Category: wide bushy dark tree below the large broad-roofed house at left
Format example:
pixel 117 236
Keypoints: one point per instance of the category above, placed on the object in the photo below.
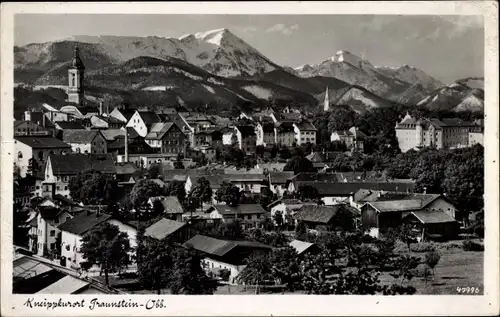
pixel 93 188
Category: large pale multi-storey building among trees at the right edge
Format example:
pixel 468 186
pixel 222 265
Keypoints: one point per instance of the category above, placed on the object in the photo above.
pixel 416 133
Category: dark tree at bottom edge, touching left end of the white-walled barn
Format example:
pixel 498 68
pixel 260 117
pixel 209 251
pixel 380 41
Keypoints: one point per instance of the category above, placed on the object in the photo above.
pixel 188 276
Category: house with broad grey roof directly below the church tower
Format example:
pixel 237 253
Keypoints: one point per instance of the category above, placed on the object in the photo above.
pixel 85 141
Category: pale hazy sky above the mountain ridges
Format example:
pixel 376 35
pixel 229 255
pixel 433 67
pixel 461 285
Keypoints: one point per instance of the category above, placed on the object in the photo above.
pixel 446 47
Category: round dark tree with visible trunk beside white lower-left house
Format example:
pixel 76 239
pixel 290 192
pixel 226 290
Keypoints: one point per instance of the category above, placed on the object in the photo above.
pixel 106 247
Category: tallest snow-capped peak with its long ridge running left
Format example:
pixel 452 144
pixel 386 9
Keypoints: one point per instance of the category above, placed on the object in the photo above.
pixel 217 51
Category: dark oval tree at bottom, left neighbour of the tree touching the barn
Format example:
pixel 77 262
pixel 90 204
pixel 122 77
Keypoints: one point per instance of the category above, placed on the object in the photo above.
pixel 156 266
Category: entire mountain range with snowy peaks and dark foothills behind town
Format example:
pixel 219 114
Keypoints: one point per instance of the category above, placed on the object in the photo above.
pixel 217 67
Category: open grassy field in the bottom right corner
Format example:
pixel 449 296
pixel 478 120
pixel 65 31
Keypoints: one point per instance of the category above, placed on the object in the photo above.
pixel 456 268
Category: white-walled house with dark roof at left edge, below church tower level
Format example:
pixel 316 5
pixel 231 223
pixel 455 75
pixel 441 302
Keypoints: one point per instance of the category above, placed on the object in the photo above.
pixel 37 149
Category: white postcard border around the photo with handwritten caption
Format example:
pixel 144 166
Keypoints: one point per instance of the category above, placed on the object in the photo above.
pixel 248 305
